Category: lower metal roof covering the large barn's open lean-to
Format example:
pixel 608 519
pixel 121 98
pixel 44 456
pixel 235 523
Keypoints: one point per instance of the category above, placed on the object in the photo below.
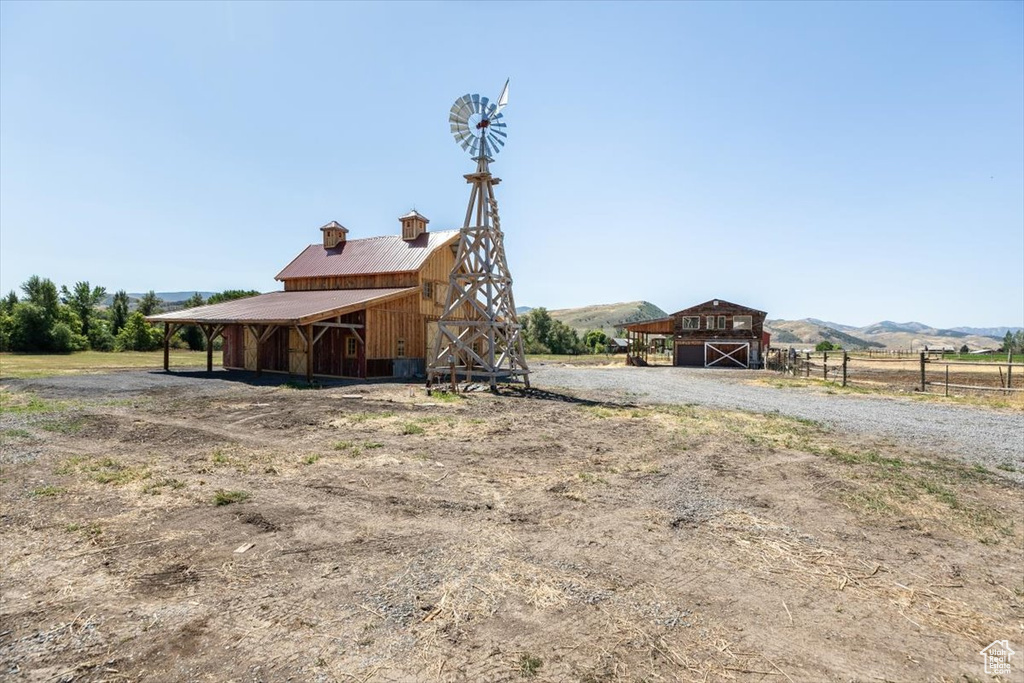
pixel 284 308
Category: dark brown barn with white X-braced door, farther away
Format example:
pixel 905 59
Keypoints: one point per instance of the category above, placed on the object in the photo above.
pixel 714 334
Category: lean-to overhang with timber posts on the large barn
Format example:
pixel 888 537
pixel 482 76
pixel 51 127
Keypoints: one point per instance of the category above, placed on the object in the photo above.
pixel 311 314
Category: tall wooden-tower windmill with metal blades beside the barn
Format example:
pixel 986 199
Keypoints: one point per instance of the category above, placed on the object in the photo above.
pixel 479 335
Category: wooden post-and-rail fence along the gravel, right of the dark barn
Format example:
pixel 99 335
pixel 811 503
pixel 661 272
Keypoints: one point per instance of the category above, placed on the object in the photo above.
pixel 923 373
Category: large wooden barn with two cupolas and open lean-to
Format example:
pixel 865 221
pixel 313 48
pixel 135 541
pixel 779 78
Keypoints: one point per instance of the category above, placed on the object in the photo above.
pixel 354 309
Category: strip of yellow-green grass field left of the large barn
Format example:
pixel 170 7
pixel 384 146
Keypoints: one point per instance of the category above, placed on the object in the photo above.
pixel 48 365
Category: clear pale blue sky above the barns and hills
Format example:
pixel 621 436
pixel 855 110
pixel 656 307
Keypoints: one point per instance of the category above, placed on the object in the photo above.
pixel 852 162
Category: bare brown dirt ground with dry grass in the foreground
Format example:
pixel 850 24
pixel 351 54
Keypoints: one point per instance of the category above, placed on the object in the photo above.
pixel 370 533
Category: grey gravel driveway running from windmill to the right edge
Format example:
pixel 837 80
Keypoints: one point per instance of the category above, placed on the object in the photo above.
pixel 976 435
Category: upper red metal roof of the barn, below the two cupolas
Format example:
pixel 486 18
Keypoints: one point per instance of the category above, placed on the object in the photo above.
pixel 362 258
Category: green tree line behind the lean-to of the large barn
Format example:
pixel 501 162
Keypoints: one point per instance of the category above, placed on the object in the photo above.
pixel 49 320
